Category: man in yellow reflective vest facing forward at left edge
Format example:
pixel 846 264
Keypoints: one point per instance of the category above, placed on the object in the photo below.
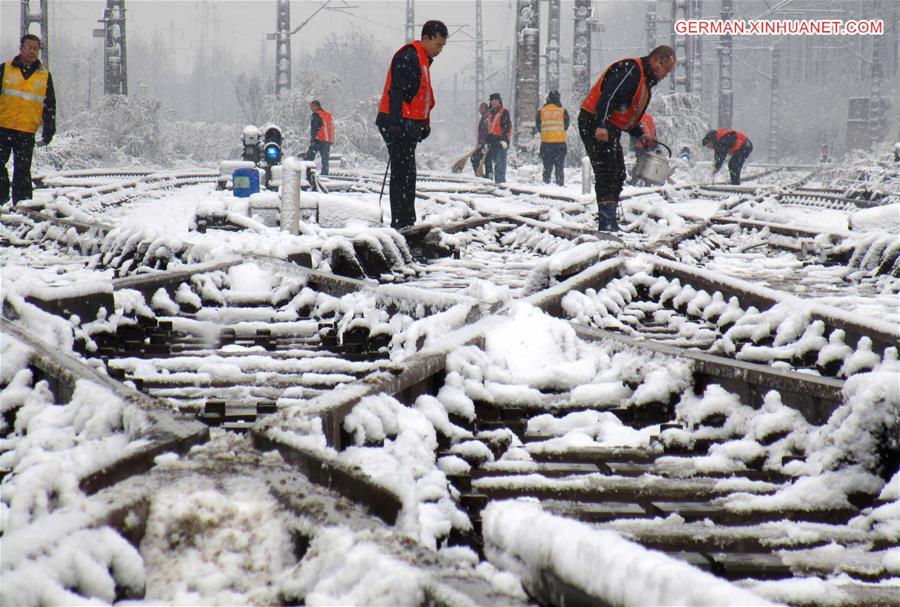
pixel 27 100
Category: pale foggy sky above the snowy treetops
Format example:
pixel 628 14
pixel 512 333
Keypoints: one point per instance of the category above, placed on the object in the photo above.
pixel 243 24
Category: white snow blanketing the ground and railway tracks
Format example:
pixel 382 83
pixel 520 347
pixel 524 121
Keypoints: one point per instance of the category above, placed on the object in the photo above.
pixel 226 523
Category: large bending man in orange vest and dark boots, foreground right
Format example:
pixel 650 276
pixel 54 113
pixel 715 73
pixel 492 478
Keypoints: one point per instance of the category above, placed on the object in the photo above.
pixel 614 104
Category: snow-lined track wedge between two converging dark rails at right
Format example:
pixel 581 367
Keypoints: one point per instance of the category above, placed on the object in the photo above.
pixel 684 306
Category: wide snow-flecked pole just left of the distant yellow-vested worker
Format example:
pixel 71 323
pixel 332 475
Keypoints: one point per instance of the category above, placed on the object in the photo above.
pixel 526 93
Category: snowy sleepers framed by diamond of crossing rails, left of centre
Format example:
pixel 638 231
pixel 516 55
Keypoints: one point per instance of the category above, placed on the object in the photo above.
pixel 193 339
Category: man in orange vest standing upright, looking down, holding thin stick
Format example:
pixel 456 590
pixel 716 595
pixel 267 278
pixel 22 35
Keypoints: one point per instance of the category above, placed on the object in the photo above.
pixel 404 116
